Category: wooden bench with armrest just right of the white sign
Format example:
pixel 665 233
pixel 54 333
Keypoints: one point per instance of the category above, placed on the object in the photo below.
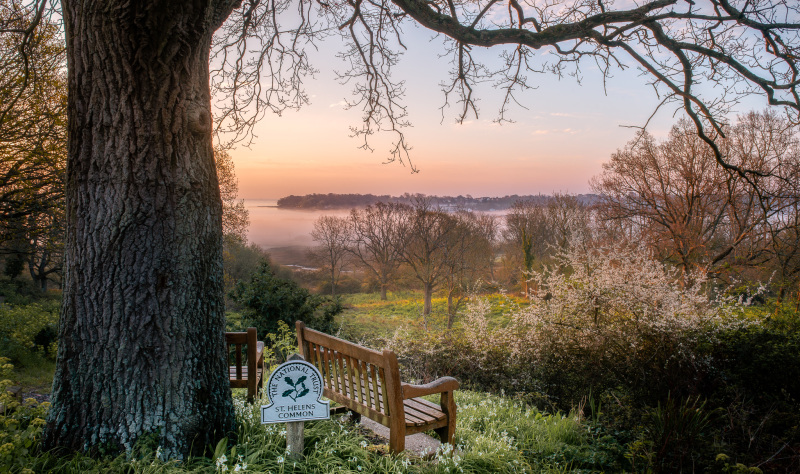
pixel 367 382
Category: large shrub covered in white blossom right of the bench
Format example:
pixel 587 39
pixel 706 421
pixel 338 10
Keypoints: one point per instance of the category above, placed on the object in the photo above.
pixel 599 318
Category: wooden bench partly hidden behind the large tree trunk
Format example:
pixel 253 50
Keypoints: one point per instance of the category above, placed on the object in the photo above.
pixel 250 373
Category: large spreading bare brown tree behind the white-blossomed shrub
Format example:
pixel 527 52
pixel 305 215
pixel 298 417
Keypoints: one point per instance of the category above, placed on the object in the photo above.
pixel 694 213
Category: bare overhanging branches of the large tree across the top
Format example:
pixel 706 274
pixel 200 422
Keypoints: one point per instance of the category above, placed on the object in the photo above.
pixel 703 56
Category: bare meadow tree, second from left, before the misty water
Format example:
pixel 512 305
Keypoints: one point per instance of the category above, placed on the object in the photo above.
pixel 377 240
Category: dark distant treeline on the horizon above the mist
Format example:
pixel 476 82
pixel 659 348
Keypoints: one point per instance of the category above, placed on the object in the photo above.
pixel 346 201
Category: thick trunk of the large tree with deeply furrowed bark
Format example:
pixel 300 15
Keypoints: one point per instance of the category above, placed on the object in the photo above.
pixel 141 336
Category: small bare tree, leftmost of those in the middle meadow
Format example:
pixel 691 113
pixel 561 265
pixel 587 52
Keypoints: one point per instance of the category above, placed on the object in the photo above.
pixel 332 235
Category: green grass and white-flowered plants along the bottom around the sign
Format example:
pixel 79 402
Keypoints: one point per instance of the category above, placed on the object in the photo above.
pixel 494 435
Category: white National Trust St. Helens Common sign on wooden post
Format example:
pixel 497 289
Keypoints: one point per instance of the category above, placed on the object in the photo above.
pixel 295 395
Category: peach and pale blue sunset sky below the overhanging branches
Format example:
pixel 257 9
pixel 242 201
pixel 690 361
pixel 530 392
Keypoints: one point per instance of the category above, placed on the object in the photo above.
pixel 557 144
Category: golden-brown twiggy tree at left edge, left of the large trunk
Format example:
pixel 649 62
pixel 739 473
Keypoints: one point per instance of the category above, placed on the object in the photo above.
pixel 32 141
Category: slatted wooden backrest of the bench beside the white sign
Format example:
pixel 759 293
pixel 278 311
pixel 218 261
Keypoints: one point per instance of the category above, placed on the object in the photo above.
pixel 365 380
